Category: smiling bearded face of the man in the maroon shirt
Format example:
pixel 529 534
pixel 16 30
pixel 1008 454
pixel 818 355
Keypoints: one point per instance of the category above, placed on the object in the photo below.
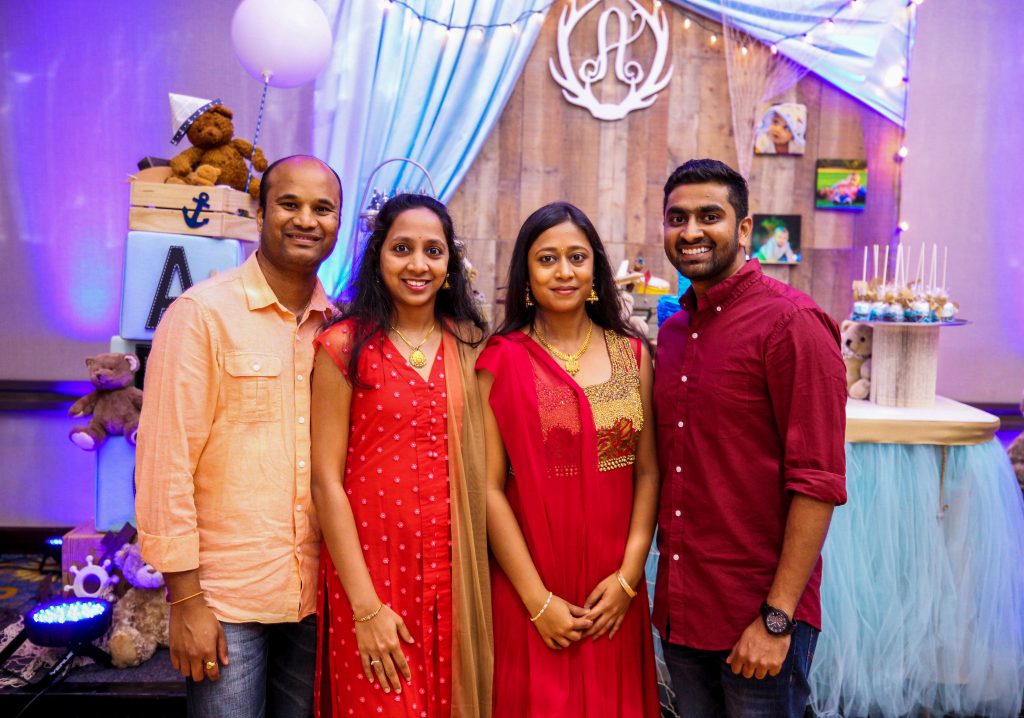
pixel 703 239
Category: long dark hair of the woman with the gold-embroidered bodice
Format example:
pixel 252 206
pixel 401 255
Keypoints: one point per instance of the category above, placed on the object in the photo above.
pixel 607 313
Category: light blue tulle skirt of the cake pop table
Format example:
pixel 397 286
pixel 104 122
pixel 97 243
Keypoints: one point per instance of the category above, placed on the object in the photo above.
pixel 923 592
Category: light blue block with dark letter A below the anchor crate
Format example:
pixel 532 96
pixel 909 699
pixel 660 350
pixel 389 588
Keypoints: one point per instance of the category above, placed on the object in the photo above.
pixel 160 268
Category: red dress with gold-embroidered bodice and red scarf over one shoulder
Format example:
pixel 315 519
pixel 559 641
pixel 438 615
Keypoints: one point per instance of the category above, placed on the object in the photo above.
pixel 572 452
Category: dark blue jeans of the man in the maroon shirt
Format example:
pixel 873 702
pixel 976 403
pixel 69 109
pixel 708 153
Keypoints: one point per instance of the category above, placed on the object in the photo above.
pixel 707 688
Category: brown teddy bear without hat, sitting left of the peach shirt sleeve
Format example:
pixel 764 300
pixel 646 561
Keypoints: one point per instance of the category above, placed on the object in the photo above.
pixel 115 404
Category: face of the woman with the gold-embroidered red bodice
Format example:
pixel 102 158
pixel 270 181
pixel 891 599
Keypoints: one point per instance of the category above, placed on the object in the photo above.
pixel 562 269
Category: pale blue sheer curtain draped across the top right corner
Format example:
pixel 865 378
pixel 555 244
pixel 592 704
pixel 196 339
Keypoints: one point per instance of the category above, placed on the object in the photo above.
pixel 866 55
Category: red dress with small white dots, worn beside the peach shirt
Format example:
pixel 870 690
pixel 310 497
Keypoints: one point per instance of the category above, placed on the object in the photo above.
pixel 397 481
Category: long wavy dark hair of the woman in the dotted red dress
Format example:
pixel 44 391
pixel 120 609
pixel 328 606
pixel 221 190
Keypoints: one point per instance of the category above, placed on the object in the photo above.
pixel 371 304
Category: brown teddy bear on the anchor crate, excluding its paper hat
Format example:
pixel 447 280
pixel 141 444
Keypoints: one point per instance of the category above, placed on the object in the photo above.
pixel 215 148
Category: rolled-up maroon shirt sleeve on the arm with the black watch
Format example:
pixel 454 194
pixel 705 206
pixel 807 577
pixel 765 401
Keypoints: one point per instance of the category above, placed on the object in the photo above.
pixel 807 385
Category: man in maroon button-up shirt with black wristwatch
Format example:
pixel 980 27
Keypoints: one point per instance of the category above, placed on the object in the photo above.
pixel 751 404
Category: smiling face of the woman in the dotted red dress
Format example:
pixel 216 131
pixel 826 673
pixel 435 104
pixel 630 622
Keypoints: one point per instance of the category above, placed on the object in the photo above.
pixel 414 259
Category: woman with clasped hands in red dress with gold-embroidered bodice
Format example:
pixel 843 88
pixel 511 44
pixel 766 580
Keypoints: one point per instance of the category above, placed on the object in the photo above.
pixel 572 481
